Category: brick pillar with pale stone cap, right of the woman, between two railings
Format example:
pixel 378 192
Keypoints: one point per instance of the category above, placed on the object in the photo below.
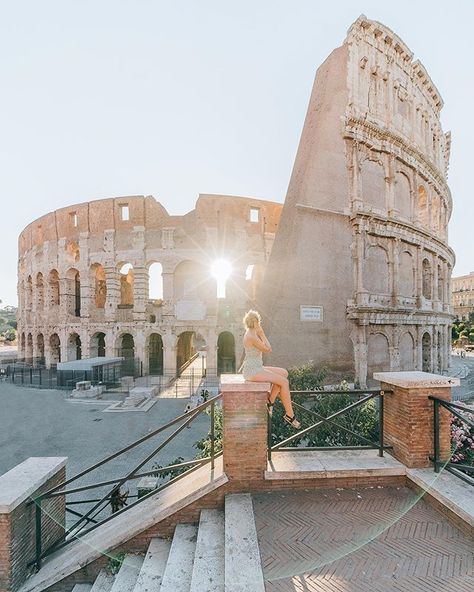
pixel 408 415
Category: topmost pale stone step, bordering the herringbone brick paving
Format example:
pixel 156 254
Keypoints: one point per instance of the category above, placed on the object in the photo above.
pixel 243 568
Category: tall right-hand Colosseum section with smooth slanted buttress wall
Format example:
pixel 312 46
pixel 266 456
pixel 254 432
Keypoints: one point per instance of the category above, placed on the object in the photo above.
pixel 362 242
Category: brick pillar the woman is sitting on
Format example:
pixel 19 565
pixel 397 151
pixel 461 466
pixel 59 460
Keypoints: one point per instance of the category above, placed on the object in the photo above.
pixel 245 428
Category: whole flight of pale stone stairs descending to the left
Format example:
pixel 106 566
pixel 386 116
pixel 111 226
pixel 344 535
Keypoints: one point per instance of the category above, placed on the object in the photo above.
pixel 221 553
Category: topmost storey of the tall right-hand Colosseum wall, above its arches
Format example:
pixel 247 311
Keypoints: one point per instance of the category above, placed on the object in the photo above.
pixel 389 89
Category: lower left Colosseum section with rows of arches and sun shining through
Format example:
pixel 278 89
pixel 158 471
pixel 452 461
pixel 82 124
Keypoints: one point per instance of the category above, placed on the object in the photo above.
pixel 121 276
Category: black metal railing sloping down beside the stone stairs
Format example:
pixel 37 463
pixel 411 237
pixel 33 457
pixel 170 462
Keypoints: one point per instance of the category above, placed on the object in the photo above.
pixel 106 506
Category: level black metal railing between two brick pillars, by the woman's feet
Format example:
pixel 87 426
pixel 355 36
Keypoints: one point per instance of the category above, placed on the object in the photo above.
pixel 301 399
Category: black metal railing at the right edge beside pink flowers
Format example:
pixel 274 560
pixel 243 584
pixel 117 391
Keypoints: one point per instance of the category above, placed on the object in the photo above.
pixel 462 470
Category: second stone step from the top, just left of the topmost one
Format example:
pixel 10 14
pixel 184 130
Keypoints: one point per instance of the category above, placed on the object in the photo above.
pixel 208 568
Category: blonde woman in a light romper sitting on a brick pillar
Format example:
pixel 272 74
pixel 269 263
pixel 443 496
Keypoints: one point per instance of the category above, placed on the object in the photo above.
pixel 256 342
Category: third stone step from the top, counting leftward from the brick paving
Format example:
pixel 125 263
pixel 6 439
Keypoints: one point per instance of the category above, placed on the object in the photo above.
pixel 179 567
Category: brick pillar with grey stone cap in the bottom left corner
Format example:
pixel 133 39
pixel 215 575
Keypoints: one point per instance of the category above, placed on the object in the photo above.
pixel 17 516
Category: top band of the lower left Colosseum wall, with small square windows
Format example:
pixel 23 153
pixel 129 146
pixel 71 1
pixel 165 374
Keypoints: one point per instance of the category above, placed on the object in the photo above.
pixel 95 217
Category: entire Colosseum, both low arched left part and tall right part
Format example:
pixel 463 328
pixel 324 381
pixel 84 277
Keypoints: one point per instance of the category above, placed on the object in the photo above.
pixel 357 276
